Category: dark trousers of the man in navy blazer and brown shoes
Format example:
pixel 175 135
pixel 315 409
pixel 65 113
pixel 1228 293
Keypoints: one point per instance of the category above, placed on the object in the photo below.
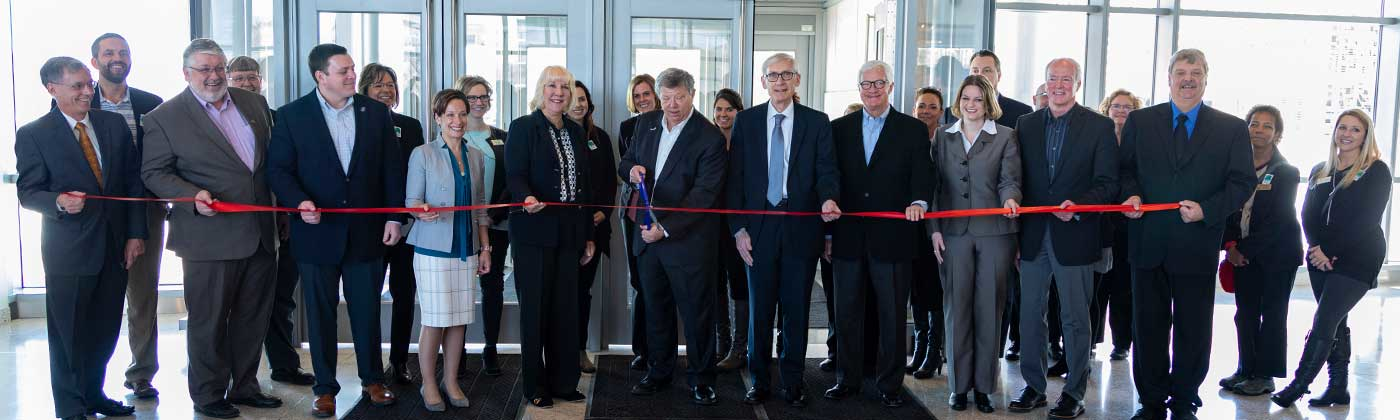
pixel 321 286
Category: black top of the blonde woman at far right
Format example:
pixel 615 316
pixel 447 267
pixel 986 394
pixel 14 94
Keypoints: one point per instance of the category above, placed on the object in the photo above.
pixel 1353 236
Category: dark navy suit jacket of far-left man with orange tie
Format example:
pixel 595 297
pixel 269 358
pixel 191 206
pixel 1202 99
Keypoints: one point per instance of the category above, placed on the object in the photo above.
pixel 51 163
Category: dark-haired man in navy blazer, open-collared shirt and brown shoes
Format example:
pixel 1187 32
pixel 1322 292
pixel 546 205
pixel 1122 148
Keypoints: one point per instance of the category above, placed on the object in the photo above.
pixel 337 149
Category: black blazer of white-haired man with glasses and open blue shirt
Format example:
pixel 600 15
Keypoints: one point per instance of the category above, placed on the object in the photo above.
pixel 901 173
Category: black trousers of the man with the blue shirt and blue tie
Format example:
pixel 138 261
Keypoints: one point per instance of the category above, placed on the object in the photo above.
pixel 1172 330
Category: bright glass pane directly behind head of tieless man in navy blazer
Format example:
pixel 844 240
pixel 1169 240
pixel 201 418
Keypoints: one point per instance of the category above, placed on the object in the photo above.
pixel 387 38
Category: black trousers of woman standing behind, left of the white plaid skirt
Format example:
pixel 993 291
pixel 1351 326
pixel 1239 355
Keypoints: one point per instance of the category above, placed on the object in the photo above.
pixel 398 260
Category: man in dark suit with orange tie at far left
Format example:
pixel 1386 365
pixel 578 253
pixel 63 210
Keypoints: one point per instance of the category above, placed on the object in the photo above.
pixel 87 247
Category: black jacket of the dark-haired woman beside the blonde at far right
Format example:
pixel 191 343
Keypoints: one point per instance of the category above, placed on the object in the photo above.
pixel 1275 240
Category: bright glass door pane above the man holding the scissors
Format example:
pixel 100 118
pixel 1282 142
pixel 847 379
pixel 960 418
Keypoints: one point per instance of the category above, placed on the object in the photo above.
pixel 699 47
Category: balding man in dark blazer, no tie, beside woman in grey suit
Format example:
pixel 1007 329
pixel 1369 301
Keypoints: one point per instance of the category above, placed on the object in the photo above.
pixel 1069 156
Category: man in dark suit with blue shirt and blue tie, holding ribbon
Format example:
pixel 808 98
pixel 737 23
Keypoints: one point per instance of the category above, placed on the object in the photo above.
pixel 1199 157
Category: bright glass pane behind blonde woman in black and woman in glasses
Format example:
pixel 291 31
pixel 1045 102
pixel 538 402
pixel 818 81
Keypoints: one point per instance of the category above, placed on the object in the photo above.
pixel 510 52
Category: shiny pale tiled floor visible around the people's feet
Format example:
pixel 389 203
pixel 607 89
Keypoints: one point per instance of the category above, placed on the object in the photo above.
pixel 24 387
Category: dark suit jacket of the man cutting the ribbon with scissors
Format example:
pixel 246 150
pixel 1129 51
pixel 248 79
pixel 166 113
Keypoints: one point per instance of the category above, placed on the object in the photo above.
pixel 692 178
